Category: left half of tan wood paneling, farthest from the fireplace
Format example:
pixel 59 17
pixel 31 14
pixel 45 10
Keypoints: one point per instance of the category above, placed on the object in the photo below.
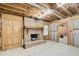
pixel 7 31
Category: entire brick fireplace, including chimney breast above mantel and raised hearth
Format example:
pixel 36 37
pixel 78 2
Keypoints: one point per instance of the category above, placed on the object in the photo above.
pixel 33 34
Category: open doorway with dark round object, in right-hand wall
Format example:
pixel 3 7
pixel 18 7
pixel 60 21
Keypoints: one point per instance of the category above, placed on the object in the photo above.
pixel 62 33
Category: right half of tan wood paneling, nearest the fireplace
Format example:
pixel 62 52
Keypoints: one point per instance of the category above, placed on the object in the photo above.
pixel 17 31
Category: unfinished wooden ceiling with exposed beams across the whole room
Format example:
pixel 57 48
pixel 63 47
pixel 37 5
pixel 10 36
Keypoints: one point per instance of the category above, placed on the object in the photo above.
pixel 44 11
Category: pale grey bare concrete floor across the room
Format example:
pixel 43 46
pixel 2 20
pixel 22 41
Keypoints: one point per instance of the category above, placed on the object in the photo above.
pixel 49 48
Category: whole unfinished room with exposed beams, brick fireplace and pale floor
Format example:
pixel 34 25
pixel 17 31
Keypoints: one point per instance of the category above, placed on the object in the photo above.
pixel 39 29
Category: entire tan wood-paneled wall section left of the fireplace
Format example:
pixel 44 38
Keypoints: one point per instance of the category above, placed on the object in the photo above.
pixel 12 28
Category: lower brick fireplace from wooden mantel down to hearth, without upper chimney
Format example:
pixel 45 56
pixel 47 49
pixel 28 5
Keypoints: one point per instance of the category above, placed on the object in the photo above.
pixel 33 36
